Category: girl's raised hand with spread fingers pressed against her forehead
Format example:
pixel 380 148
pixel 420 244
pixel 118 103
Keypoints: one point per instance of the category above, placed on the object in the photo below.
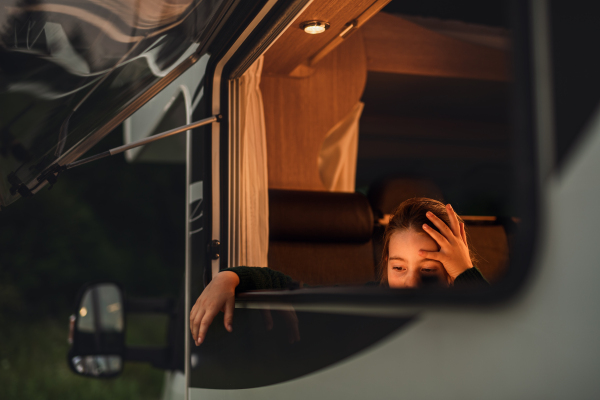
pixel 454 251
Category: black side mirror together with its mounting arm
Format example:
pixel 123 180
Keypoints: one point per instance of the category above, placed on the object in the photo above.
pixel 97 332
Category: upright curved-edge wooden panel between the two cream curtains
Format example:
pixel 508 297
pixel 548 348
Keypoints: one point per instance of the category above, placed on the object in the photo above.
pixel 299 112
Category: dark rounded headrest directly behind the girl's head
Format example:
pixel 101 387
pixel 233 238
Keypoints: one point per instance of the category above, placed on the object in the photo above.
pixel 385 196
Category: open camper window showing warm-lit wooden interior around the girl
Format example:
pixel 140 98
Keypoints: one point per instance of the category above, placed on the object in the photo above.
pixel 410 102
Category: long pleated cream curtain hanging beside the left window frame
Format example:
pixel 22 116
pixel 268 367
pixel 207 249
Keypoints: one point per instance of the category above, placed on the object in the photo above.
pixel 253 194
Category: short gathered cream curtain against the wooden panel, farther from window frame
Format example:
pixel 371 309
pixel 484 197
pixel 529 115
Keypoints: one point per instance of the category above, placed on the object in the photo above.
pixel 337 158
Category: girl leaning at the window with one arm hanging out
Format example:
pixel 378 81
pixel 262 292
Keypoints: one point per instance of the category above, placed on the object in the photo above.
pixel 425 242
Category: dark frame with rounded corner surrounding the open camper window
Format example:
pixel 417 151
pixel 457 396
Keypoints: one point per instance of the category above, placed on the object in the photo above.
pixel 527 185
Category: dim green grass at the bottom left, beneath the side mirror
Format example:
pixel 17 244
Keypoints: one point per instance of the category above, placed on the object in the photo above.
pixel 33 366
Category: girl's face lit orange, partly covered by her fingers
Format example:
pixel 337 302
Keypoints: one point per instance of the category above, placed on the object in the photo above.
pixel 406 269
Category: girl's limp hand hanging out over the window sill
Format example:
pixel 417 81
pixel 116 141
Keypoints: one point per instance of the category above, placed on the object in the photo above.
pixel 219 295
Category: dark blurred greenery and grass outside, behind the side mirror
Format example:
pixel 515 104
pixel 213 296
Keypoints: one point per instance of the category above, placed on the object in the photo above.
pixel 107 220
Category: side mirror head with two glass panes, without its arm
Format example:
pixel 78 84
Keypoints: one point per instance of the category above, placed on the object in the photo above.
pixel 97 332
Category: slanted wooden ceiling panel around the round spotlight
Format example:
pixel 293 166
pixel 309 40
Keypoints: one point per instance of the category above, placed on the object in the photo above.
pixel 295 46
